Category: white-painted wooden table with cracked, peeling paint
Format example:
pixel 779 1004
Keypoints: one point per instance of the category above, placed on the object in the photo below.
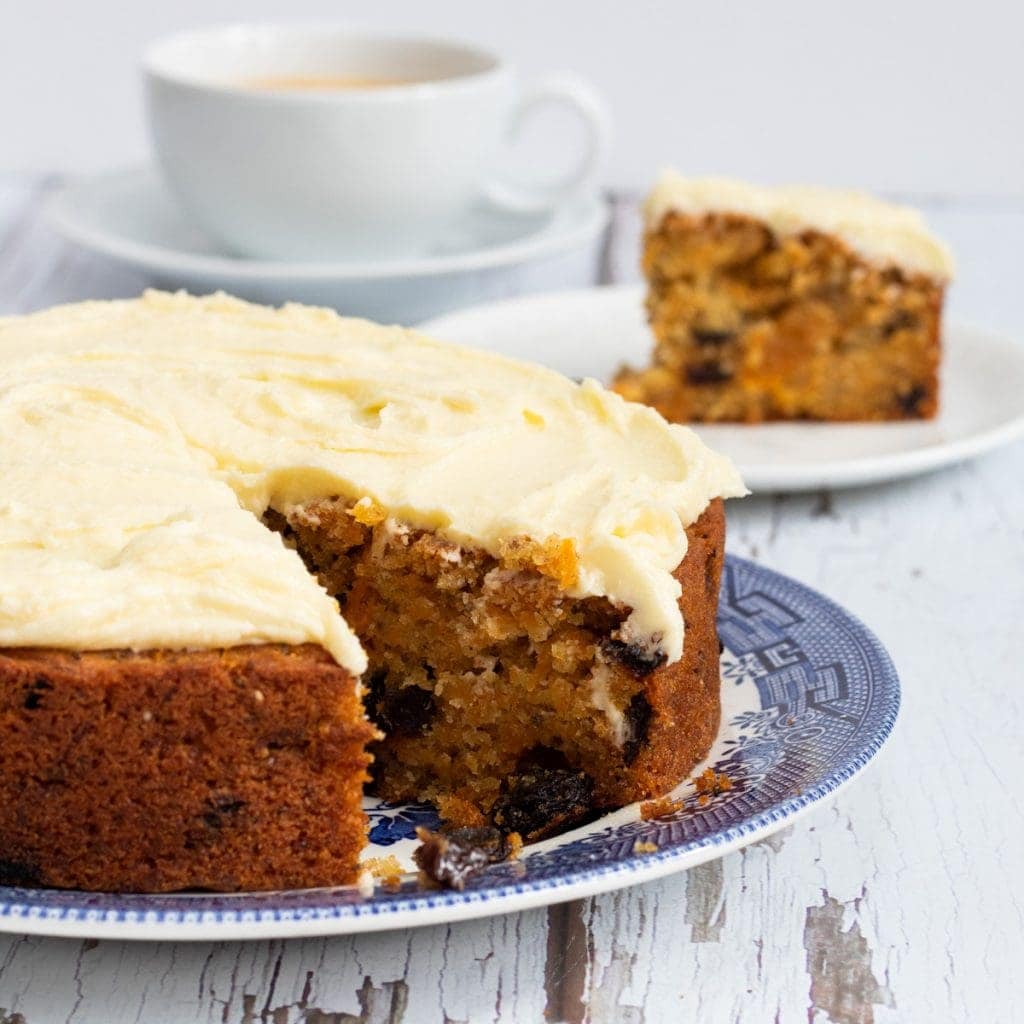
pixel 902 902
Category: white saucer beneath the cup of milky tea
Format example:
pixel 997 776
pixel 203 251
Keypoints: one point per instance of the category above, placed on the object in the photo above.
pixel 130 217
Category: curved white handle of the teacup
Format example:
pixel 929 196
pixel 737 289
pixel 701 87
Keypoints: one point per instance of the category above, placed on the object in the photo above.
pixel 575 93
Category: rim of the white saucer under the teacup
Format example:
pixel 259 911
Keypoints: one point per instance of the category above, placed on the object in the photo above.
pixel 590 217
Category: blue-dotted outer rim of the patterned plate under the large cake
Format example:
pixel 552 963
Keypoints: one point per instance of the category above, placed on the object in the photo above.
pixel 20 916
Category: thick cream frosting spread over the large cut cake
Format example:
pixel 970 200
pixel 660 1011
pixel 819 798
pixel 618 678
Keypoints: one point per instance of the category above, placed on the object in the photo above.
pixel 143 440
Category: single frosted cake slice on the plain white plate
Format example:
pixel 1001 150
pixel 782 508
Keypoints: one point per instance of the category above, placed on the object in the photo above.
pixel 788 304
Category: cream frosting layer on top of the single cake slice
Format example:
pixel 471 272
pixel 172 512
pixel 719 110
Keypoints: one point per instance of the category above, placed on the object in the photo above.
pixel 882 233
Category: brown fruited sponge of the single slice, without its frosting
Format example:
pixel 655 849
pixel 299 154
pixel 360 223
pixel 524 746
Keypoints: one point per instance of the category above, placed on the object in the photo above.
pixel 753 327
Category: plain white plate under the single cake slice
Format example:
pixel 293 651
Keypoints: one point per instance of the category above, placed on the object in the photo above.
pixel 590 333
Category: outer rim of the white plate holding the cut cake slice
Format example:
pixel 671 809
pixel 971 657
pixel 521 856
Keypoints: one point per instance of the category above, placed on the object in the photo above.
pixel 775 478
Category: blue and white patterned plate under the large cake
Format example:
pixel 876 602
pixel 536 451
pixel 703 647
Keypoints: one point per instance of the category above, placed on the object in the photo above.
pixel 808 696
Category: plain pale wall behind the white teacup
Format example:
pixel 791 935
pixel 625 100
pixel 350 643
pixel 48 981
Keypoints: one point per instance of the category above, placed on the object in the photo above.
pixel 898 96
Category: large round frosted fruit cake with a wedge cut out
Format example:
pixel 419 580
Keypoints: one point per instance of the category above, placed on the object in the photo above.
pixel 251 558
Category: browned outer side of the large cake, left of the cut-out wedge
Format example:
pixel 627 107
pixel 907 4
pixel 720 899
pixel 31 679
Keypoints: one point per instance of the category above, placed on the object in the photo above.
pixel 225 771
